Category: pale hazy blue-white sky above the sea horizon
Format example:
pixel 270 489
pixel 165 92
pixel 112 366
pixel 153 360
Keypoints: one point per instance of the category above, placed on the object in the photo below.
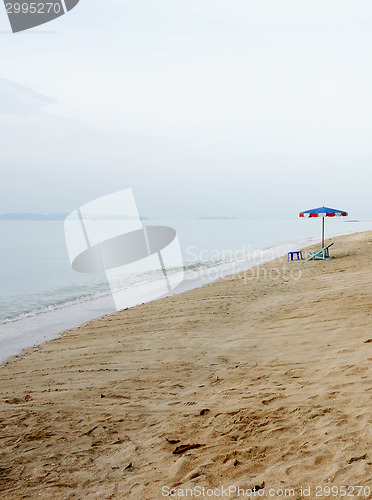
pixel 202 107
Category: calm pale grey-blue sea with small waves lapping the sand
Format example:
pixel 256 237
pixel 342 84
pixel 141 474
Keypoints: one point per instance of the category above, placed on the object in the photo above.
pixel 41 295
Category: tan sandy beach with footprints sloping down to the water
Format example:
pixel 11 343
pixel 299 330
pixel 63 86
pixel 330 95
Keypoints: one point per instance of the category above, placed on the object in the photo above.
pixel 281 366
